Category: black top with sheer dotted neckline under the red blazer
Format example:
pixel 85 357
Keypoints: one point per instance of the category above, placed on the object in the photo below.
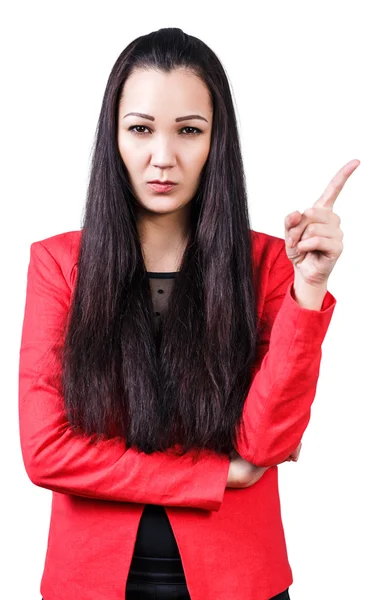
pixel 155 536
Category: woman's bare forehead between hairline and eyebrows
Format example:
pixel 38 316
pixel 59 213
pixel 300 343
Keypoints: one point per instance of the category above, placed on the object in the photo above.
pixel 153 92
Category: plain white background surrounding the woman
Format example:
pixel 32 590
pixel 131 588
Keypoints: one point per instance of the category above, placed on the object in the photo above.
pixel 306 83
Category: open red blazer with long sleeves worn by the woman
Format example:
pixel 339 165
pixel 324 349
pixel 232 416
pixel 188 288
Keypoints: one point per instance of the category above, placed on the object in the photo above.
pixel 231 541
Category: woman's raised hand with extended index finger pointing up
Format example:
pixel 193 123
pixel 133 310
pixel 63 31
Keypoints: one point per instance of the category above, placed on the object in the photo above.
pixel 314 238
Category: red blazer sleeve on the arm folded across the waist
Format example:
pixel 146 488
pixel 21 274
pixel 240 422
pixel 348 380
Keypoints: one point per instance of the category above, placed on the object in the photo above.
pixel 58 459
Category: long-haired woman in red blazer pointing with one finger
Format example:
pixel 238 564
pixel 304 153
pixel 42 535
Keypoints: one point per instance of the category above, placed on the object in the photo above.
pixel 170 354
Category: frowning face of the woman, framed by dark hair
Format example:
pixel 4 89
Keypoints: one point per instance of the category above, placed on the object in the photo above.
pixel 159 143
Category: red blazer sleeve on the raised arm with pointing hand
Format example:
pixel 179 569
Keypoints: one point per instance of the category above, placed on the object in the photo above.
pixel 278 405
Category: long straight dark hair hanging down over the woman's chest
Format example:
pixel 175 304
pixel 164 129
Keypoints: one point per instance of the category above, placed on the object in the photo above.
pixel 189 392
